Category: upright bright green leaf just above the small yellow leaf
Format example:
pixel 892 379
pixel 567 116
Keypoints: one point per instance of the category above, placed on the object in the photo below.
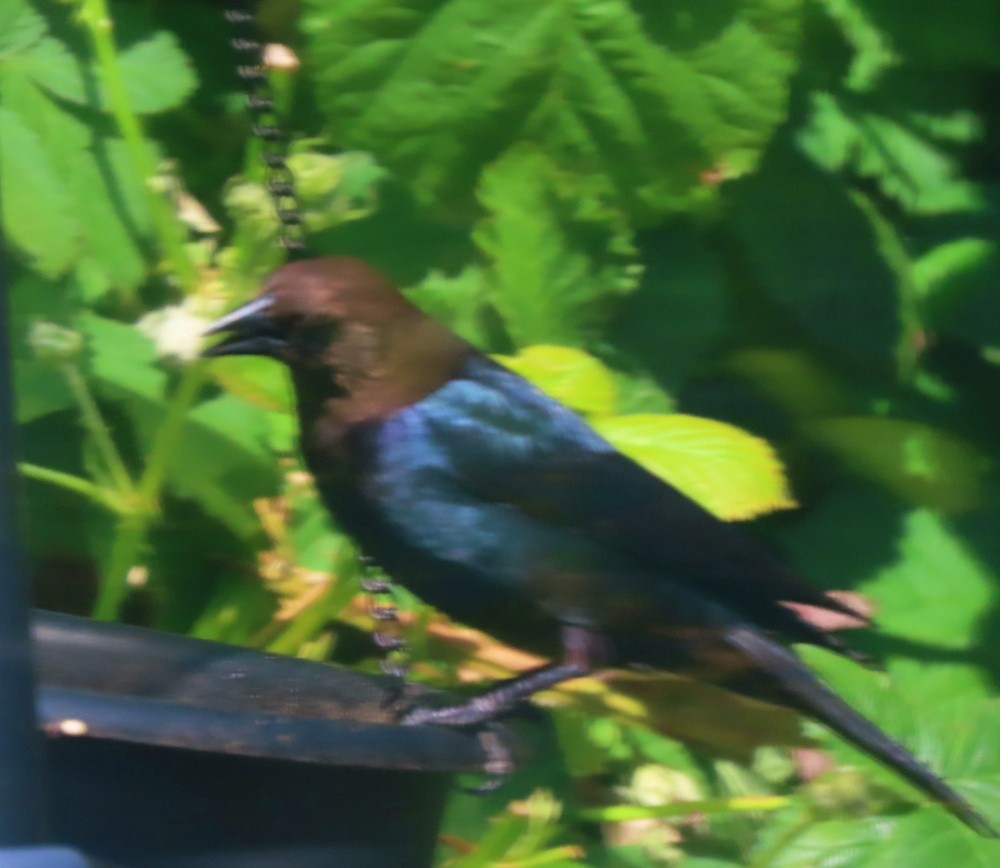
pixel 557 252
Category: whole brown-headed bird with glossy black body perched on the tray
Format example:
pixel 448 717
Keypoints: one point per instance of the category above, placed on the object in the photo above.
pixel 502 508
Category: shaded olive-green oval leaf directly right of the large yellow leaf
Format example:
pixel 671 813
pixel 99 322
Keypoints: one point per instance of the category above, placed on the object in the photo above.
pixel 924 465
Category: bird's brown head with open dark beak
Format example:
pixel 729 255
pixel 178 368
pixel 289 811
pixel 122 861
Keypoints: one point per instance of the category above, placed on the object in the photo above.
pixel 346 333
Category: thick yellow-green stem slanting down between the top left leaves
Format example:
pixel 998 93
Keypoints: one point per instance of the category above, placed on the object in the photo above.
pixel 171 234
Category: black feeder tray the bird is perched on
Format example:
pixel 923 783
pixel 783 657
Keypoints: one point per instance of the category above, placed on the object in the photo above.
pixel 168 751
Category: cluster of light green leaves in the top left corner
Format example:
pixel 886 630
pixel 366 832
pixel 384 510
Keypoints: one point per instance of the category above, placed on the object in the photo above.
pixel 72 197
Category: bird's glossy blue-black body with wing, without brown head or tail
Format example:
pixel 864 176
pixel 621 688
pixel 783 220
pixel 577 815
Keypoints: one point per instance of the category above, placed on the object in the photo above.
pixel 494 502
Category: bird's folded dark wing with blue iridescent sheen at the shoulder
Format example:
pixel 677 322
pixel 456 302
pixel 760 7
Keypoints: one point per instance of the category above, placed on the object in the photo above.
pixel 508 441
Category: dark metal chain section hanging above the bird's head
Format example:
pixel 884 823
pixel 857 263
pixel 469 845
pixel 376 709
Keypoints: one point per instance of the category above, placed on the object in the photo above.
pixel 279 181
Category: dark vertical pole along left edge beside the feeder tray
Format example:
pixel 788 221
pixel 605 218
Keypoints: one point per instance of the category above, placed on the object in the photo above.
pixel 21 813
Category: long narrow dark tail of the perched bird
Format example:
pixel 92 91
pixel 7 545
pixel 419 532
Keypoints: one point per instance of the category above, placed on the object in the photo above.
pixel 802 690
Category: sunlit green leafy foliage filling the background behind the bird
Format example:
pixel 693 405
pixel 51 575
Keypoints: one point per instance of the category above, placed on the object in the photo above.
pixel 700 223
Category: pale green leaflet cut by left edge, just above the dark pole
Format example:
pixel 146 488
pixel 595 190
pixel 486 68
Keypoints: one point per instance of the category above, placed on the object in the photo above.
pixel 36 212
